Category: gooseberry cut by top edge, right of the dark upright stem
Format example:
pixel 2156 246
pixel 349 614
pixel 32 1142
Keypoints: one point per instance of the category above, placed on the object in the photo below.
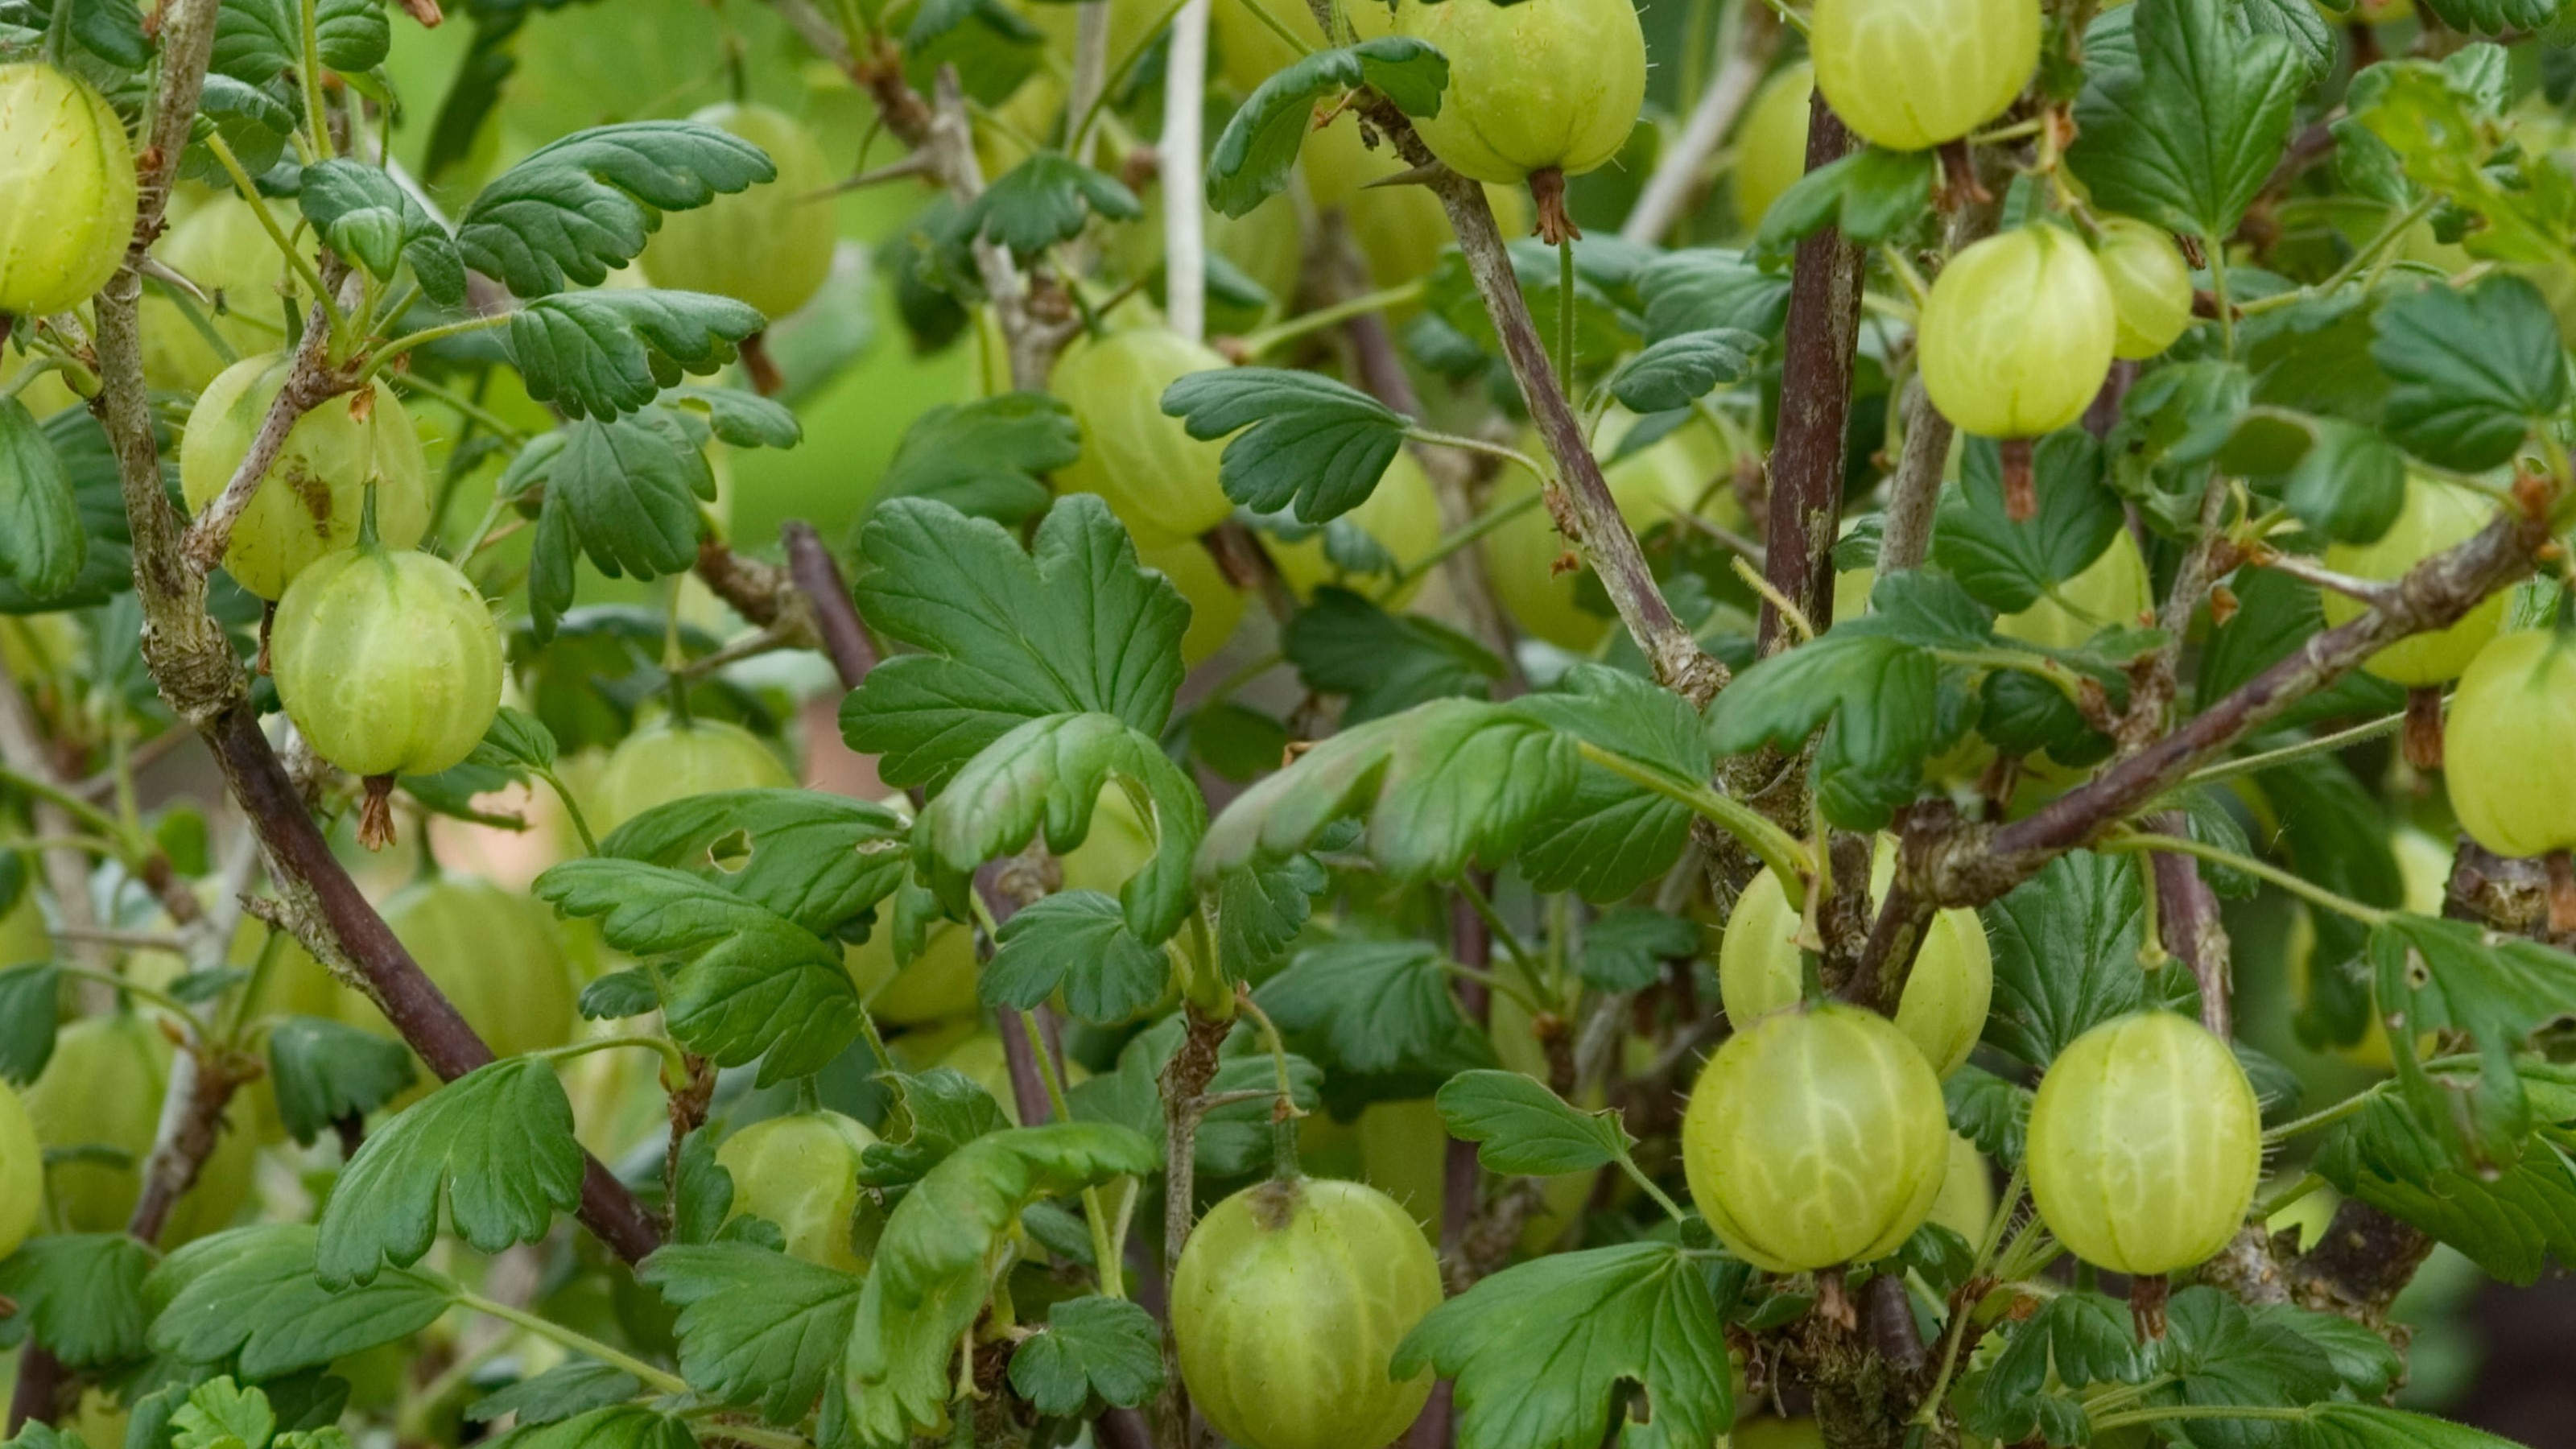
pixel 1918 73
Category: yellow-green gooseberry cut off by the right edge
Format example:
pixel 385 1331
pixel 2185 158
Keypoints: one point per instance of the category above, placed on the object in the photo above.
pixel 2510 775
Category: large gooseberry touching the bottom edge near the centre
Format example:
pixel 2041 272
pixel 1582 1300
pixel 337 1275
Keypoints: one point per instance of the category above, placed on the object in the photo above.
pixel 1289 1306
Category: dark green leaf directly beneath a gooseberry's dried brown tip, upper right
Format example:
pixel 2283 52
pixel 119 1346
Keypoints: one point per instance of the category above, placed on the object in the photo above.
pixel 2013 566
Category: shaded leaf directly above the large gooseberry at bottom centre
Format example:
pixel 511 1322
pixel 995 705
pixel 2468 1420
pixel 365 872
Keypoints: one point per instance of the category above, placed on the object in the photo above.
pixel 1372 1007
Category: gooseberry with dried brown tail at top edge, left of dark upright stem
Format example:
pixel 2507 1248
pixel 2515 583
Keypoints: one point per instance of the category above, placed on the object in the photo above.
pixel 1539 89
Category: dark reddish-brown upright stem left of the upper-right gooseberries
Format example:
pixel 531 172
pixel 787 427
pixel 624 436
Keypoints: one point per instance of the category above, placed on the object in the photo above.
pixel 1815 409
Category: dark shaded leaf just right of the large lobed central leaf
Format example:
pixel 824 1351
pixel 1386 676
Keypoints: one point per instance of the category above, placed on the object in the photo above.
pixel 1387 664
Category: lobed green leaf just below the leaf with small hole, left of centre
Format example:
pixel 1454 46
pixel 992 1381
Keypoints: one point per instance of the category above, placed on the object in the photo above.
pixel 759 986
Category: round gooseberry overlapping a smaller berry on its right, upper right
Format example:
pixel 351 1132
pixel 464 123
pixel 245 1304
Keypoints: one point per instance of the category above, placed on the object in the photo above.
pixel 2018 334
